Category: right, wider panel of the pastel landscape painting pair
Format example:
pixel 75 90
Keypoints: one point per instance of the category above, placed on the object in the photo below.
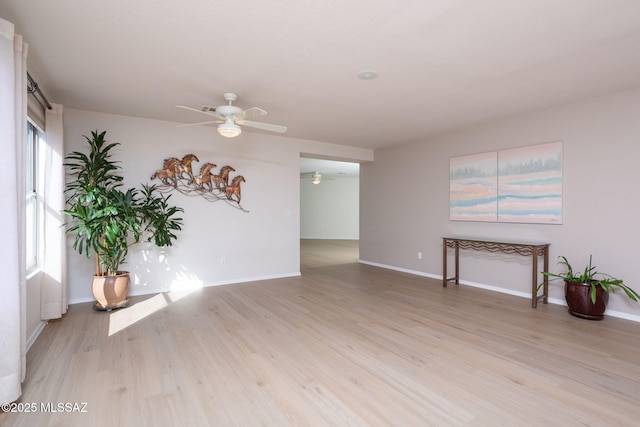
pixel 530 184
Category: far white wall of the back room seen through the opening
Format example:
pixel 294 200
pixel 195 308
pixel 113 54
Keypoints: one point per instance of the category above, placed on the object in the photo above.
pixel 330 210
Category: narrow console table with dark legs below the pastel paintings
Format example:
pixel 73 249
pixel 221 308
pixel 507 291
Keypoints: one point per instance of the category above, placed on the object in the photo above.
pixel 534 250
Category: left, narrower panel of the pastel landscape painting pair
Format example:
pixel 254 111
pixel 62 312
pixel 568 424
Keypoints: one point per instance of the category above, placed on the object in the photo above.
pixel 473 183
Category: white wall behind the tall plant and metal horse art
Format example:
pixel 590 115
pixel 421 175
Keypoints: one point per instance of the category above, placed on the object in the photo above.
pixel 263 243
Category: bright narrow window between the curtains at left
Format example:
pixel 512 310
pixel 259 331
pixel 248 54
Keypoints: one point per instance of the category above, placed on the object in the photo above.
pixel 33 203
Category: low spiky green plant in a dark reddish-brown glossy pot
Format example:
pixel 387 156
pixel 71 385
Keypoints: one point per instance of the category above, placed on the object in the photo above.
pixel 587 292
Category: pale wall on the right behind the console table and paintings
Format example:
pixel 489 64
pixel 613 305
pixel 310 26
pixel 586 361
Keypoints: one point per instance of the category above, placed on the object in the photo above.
pixel 601 204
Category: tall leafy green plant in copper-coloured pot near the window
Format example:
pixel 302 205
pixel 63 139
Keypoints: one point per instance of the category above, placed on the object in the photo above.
pixel 106 220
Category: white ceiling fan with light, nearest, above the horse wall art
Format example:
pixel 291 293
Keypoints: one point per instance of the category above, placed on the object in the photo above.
pixel 231 117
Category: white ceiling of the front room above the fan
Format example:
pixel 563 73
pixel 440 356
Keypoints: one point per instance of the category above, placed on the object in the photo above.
pixel 442 64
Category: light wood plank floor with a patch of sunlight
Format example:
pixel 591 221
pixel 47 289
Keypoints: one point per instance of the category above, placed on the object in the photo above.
pixel 345 344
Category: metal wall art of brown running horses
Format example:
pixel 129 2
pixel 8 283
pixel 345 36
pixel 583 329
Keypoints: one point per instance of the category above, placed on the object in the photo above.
pixel 177 174
